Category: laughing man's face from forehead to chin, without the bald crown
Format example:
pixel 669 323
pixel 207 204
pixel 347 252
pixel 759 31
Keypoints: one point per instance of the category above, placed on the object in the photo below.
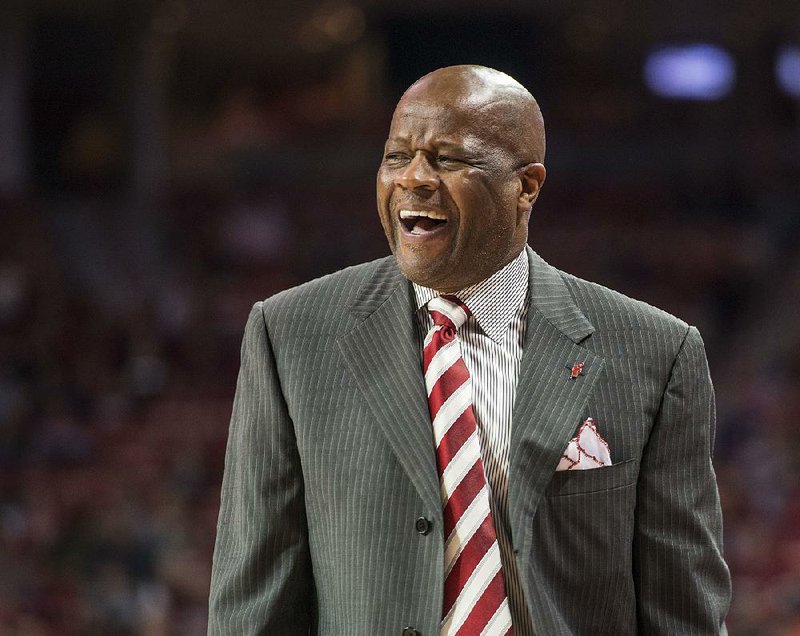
pixel 449 193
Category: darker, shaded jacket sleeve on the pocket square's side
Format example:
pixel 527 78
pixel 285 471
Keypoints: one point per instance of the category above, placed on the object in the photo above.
pixel 682 582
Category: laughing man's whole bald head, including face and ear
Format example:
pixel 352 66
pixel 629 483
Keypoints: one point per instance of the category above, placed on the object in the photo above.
pixel 461 170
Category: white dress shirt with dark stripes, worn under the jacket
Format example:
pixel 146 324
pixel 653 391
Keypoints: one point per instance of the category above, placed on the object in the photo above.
pixel 491 345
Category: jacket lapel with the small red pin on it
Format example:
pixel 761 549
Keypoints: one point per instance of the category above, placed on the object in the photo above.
pixel 548 404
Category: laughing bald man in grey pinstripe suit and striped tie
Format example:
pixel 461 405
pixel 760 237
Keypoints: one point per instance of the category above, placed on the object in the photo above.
pixel 340 513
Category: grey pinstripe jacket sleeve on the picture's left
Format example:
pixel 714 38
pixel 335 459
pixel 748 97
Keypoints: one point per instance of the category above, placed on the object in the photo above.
pixel 261 576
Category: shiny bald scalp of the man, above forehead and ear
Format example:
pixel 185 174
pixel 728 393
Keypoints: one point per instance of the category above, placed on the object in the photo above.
pixel 506 108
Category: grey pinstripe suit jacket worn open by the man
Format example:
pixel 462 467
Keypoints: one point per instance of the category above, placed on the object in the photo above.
pixel 330 461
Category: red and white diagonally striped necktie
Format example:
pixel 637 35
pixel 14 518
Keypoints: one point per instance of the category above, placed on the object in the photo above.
pixel 475 600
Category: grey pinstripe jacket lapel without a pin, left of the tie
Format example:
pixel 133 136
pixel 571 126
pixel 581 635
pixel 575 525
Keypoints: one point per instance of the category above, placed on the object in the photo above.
pixel 383 355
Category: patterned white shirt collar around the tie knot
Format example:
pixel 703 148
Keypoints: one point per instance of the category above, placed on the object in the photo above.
pixel 494 301
